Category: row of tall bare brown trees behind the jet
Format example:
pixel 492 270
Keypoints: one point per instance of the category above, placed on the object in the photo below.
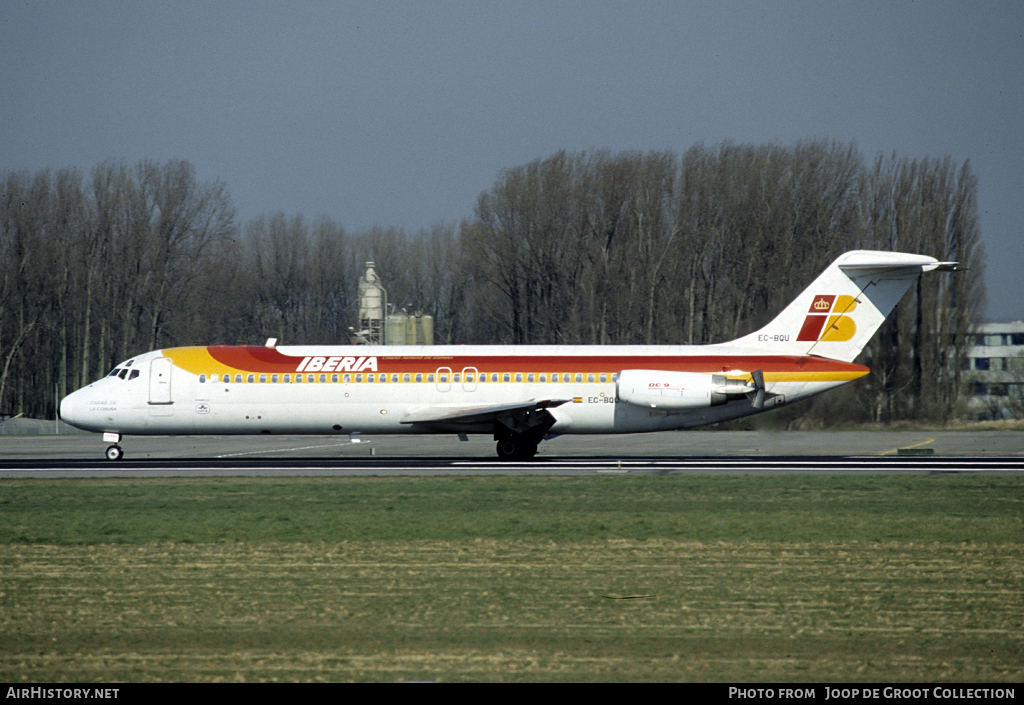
pixel 589 248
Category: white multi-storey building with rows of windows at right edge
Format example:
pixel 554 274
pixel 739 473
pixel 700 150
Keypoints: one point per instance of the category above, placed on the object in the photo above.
pixel 996 371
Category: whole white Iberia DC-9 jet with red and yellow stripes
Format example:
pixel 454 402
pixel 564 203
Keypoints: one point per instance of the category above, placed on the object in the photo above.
pixel 520 395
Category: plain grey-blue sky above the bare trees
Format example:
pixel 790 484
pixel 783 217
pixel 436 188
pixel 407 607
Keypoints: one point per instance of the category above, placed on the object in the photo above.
pixel 402 113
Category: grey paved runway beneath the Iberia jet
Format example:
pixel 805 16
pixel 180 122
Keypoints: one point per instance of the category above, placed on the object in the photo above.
pixel 80 457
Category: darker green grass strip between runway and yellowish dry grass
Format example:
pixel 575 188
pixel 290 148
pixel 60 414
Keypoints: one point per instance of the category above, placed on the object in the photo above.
pixel 958 509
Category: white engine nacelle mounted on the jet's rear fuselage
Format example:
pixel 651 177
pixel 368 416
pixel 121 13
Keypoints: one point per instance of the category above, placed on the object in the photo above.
pixel 678 391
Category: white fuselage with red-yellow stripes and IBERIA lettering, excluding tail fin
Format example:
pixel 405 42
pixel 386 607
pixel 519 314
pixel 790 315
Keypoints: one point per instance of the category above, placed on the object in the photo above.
pixel 318 390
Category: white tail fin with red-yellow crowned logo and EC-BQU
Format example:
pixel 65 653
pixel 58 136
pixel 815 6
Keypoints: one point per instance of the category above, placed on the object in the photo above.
pixel 837 315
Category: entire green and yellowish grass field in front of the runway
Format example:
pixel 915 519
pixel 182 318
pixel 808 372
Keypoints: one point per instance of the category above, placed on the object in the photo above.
pixel 746 578
